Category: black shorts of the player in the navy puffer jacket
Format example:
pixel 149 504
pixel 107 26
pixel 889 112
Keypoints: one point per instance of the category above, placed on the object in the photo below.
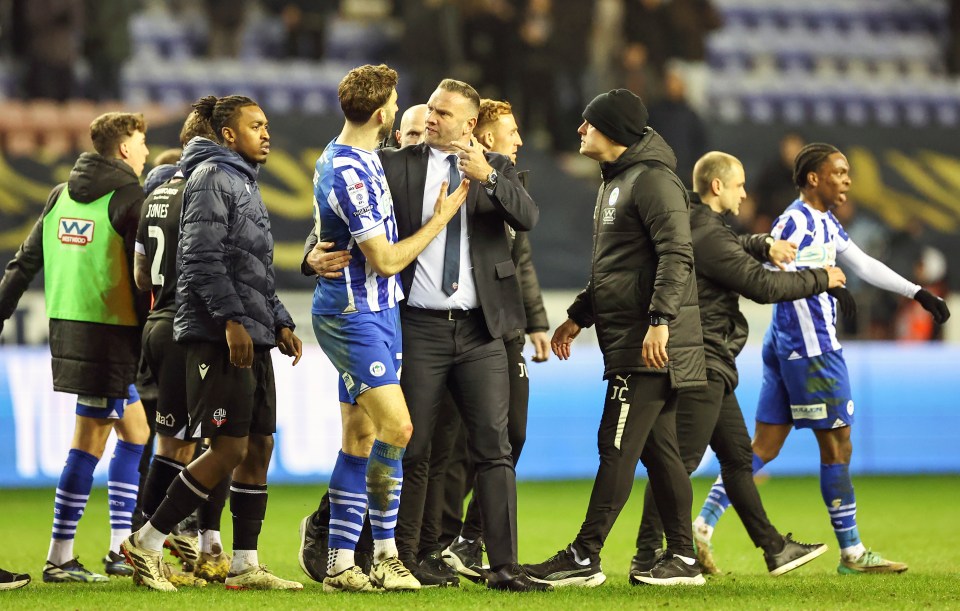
pixel 227 400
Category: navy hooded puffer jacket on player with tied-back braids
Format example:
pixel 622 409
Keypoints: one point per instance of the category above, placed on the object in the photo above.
pixel 225 254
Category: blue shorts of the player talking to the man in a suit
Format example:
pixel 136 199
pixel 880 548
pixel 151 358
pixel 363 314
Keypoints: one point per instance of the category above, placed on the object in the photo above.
pixel 366 349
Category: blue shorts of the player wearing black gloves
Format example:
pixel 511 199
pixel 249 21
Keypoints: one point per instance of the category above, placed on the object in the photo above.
pixel 810 393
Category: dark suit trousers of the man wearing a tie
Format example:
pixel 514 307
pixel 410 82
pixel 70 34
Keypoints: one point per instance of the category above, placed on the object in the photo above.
pixel 459 355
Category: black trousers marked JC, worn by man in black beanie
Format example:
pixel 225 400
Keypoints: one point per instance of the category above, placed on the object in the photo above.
pixel 638 423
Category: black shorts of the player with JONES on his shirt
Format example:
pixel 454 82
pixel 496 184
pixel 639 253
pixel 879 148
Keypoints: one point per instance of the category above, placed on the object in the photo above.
pixel 167 363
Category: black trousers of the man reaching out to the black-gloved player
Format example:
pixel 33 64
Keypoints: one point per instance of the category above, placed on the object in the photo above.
pixel 711 414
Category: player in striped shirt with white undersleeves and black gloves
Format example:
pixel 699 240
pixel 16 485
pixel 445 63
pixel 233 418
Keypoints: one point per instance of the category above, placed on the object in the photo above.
pixel 805 379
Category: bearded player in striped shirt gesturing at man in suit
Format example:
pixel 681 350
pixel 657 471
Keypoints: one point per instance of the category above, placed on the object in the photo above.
pixel 356 320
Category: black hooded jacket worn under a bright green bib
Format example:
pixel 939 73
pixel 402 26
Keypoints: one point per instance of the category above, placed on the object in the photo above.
pixel 91 359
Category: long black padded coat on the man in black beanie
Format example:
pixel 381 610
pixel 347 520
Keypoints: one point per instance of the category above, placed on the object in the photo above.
pixel 643 263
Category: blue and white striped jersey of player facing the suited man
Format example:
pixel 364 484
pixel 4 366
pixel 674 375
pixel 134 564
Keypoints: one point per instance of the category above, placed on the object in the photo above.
pixel 352 203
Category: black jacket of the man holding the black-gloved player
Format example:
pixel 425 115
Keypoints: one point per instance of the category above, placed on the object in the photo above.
pixel 727 267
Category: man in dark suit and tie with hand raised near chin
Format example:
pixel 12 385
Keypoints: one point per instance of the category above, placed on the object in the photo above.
pixel 462 295
